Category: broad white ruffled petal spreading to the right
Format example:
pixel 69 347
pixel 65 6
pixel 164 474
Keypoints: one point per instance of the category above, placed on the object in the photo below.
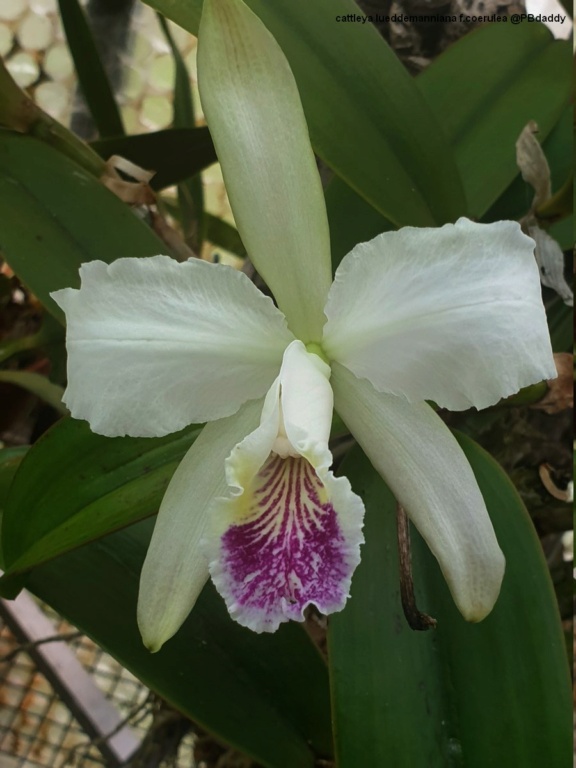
pixel 452 314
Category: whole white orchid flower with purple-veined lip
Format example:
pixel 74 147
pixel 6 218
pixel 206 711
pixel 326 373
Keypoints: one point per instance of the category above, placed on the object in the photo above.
pixel 453 315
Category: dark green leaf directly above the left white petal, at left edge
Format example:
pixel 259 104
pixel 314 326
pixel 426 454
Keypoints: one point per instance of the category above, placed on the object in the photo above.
pixel 55 216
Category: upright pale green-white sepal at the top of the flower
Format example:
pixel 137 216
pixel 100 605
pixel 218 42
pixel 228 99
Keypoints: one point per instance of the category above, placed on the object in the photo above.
pixel 253 109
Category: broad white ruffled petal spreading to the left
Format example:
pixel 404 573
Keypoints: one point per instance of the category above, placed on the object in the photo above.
pixel 154 345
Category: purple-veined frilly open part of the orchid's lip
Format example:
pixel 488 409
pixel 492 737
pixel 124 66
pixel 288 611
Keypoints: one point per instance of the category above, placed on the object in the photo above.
pixel 287 549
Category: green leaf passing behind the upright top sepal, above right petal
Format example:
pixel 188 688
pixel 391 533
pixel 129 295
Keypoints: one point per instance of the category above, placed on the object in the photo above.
pixel 366 118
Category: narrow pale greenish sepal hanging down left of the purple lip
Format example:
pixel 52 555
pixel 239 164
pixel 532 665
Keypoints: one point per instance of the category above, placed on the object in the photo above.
pixel 175 569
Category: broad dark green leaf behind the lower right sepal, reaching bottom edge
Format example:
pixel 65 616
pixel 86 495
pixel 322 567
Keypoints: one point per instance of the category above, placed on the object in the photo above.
pixel 475 695
